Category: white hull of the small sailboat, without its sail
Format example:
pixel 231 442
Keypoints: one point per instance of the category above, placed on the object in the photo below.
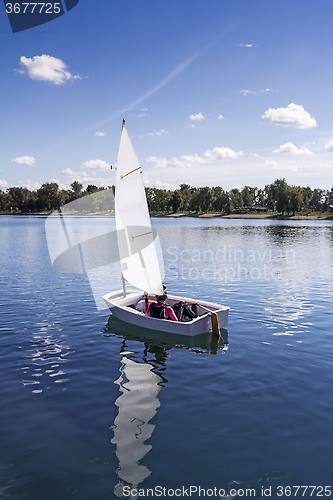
pixel 123 308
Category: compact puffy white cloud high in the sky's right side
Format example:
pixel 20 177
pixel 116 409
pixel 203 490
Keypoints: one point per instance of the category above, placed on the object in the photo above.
pixel 293 115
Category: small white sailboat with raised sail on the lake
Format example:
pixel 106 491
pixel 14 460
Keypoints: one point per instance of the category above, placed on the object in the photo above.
pixel 139 260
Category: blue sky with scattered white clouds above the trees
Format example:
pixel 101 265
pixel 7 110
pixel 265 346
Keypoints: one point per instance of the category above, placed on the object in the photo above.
pixel 214 92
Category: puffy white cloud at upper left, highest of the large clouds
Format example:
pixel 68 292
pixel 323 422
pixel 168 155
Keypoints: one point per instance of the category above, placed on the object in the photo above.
pixel 47 68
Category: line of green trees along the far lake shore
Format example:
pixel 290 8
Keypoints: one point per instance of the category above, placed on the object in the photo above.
pixel 276 198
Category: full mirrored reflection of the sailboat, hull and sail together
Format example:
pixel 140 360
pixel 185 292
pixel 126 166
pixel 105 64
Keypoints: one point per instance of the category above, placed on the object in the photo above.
pixel 141 379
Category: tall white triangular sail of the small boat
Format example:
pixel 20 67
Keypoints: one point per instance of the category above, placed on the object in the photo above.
pixel 140 266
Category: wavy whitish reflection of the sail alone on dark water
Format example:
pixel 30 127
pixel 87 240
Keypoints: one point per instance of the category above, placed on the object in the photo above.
pixel 137 405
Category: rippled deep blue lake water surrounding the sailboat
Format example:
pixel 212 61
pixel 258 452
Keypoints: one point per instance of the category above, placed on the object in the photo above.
pixel 93 409
